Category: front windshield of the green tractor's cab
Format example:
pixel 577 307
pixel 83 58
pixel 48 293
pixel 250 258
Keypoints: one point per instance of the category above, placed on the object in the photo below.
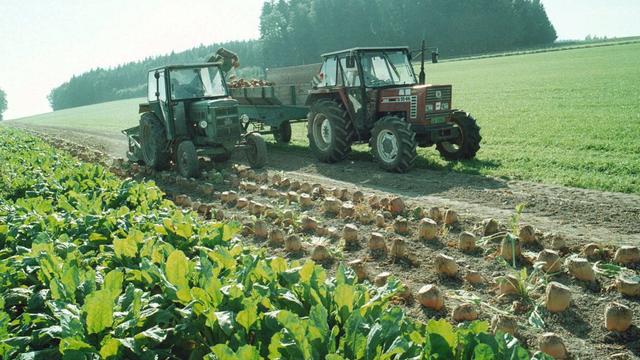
pixel 194 83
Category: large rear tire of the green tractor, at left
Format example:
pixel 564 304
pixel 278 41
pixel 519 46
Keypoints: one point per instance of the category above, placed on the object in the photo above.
pixel 154 142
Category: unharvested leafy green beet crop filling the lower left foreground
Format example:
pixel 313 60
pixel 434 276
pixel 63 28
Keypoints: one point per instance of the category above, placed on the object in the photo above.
pixel 93 267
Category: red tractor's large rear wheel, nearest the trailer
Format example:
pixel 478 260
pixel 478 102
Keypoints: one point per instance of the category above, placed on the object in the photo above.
pixel 329 130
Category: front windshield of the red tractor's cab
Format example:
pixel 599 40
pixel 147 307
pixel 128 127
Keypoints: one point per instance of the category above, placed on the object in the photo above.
pixel 386 68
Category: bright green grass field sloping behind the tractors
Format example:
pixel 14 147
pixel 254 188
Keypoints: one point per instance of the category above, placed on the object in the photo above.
pixel 565 117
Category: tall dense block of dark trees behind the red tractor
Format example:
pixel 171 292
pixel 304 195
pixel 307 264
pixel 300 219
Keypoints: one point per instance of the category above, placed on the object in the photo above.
pixel 296 31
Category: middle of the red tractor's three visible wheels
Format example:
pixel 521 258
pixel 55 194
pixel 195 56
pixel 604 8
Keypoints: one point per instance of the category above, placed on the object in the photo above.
pixel 393 144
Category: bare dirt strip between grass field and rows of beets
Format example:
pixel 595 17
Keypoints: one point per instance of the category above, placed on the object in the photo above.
pixel 579 215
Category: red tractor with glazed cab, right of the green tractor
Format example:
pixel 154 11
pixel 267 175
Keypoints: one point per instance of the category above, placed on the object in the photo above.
pixel 372 95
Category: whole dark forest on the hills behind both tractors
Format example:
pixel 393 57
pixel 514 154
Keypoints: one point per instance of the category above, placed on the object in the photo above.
pixel 294 32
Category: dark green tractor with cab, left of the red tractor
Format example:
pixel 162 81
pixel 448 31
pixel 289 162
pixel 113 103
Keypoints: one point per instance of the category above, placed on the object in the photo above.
pixel 190 113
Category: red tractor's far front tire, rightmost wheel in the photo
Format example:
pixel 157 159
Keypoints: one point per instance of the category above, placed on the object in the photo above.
pixel 467 145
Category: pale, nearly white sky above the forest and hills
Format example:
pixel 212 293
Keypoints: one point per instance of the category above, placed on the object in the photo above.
pixel 45 42
